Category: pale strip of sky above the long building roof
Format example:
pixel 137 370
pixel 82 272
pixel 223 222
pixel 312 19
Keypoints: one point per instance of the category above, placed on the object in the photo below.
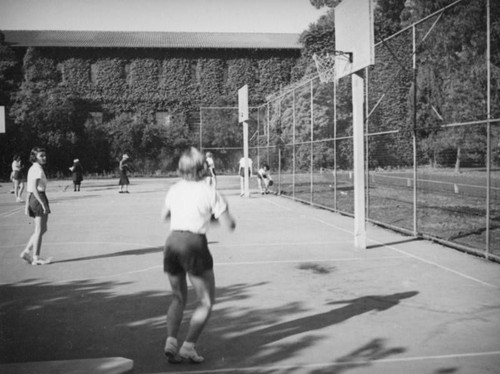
pixel 275 16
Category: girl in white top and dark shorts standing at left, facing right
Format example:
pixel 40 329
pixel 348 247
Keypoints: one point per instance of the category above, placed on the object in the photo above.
pixel 37 206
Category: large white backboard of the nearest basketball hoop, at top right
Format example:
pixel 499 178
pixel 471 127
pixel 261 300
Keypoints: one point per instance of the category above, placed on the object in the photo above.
pixel 354 36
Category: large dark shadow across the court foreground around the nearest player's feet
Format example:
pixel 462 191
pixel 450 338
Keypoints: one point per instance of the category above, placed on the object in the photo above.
pixel 87 319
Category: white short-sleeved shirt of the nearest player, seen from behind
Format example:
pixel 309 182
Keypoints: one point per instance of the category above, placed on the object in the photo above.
pixel 191 205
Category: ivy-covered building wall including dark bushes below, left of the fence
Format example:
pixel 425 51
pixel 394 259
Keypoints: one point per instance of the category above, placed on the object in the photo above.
pixel 97 103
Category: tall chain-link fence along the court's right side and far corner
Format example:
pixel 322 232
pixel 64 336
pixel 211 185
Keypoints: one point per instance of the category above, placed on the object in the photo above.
pixel 432 134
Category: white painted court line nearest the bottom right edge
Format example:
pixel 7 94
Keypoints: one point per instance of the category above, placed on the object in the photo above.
pixel 337 364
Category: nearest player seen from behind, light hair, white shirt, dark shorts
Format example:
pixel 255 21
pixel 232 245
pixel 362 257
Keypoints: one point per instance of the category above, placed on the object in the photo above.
pixel 190 204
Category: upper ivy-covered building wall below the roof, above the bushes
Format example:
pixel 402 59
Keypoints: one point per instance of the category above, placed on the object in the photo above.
pixel 139 80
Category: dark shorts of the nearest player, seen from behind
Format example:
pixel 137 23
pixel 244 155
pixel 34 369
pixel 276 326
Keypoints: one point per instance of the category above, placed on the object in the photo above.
pixel 186 252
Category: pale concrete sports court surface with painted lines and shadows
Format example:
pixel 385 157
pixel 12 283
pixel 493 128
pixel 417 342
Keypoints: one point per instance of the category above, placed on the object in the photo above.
pixel 293 295
